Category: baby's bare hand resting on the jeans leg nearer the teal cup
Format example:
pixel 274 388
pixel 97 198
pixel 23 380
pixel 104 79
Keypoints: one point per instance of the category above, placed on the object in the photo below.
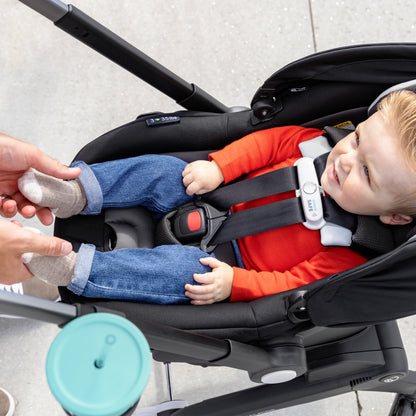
pixel 215 285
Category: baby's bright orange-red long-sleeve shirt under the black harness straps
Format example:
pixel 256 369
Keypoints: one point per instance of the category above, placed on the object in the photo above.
pixel 287 257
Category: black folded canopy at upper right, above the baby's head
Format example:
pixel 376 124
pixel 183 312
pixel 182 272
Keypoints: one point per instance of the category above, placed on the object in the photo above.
pixel 334 80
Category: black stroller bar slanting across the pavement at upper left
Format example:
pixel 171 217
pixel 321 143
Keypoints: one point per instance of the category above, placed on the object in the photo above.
pixel 93 34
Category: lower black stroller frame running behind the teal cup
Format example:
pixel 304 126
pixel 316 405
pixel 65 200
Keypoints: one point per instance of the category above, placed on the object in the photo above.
pixel 360 359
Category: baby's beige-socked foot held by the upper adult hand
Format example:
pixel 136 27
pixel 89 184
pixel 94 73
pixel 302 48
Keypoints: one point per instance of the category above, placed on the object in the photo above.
pixel 65 198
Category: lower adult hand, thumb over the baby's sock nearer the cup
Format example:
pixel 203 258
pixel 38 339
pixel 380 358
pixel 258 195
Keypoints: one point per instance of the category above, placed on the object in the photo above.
pixel 16 240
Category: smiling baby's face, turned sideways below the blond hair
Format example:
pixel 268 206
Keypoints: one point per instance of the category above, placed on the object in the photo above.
pixel 365 171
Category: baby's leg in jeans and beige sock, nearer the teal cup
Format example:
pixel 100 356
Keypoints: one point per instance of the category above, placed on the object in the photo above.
pixel 154 275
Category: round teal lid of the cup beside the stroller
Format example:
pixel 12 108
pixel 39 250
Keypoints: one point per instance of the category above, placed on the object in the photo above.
pixel 98 365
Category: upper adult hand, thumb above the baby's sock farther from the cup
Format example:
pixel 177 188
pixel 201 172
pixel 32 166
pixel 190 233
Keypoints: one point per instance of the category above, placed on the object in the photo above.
pixel 16 157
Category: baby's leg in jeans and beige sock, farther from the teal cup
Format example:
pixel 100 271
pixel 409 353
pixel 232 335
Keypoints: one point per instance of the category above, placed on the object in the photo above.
pixel 152 181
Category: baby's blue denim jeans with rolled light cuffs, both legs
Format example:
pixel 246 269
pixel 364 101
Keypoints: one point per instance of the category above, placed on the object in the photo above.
pixel 155 275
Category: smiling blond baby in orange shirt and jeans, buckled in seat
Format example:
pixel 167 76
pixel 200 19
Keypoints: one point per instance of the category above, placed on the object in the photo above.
pixel 369 172
